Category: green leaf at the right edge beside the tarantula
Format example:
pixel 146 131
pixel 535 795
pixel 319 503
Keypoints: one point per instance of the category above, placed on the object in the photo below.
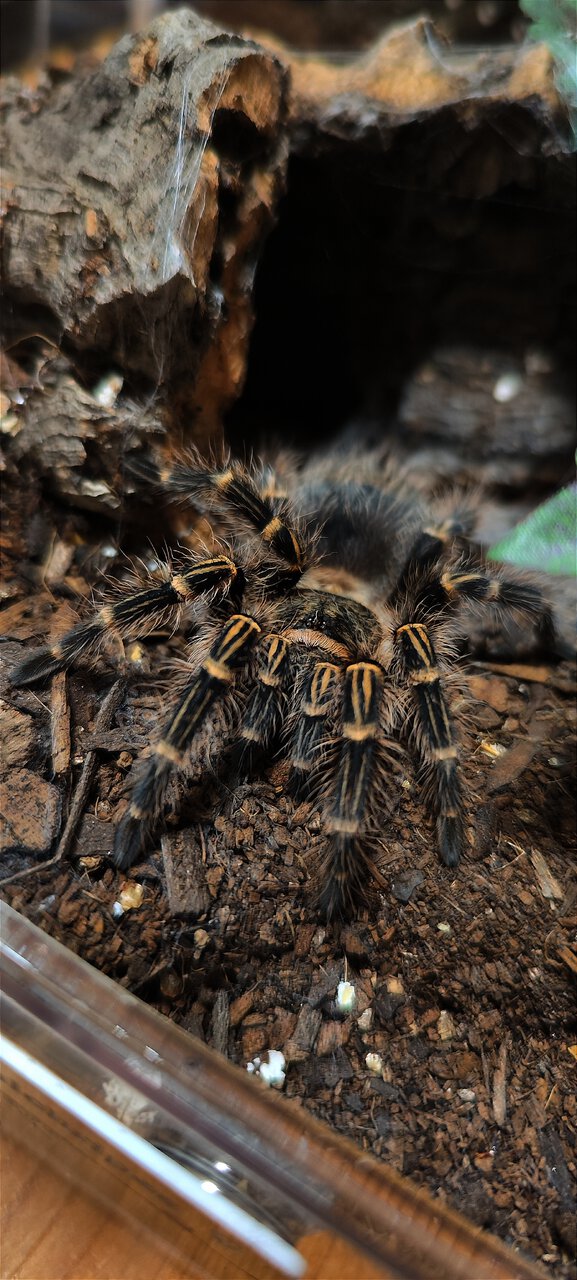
pixel 547 540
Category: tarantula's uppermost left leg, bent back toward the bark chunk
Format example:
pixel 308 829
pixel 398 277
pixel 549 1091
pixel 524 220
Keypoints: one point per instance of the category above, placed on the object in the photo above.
pixel 233 488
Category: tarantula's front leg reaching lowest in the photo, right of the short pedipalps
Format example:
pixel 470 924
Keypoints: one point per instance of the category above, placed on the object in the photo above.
pixel 347 820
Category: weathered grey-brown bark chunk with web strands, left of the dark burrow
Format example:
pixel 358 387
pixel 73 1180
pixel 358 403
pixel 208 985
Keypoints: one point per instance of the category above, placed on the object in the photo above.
pixel 136 200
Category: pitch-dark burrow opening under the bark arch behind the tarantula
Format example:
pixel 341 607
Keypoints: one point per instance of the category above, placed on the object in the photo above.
pixel 391 254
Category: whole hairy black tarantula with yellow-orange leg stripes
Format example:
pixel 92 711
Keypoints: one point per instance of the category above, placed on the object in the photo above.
pixel 326 629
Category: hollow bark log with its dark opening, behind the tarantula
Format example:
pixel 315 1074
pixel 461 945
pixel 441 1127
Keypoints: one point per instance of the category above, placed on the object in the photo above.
pixel 428 207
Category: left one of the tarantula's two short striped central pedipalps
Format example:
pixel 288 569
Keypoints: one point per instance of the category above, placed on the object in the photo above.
pixel 262 717
